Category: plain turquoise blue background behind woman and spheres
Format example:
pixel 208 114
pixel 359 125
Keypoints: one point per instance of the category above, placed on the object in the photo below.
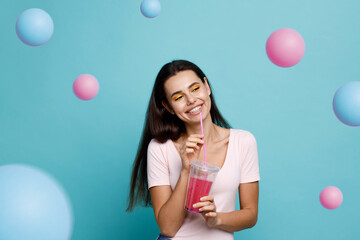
pixel 89 146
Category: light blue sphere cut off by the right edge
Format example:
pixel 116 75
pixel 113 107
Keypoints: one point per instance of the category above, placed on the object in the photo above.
pixel 346 103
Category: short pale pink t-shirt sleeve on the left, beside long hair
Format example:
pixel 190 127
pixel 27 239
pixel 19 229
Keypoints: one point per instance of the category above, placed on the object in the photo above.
pixel 157 165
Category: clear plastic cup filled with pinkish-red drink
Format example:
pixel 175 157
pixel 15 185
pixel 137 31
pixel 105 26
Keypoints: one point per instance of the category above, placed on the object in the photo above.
pixel 202 175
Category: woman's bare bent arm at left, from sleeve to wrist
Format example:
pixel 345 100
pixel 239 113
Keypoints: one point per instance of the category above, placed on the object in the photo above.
pixel 168 205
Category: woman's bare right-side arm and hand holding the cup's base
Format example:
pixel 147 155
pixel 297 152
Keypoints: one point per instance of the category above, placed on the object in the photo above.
pixel 234 221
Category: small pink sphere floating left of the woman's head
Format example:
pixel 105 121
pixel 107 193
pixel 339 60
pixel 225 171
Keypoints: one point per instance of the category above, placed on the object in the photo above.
pixel 86 87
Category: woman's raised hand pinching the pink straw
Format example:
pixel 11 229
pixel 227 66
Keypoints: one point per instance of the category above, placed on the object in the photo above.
pixel 190 150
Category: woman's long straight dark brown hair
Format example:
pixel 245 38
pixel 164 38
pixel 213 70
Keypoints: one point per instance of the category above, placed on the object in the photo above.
pixel 162 126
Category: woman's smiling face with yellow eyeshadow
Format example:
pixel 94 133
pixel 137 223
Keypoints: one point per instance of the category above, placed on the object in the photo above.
pixel 187 96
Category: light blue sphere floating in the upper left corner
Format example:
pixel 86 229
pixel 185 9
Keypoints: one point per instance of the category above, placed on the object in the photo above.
pixel 34 27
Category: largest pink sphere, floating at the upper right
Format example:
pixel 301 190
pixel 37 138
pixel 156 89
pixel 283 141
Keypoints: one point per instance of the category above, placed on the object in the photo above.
pixel 285 47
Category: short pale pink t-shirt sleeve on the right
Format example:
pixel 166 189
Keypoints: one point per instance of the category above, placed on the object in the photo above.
pixel 250 164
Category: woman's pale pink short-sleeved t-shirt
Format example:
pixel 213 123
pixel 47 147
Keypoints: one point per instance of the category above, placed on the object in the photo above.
pixel 240 166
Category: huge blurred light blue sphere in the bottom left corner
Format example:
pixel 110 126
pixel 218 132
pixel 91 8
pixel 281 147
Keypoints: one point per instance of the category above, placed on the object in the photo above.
pixel 33 206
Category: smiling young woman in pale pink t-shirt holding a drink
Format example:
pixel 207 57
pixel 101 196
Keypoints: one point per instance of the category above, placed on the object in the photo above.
pixel 171 139
